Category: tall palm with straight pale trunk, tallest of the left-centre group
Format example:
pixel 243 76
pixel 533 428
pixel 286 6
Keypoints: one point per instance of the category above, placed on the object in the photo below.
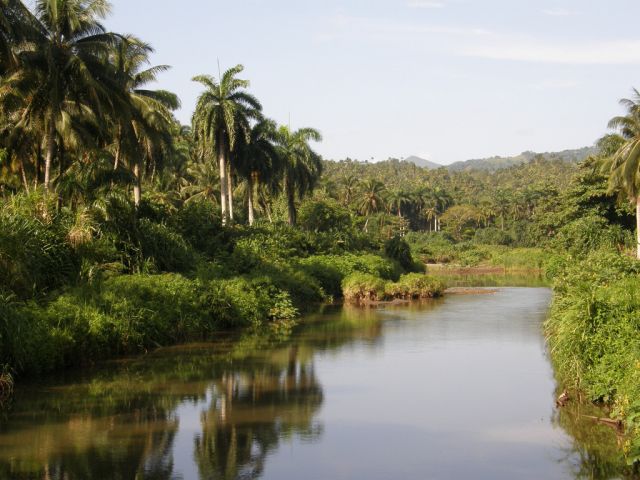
pixel 222 114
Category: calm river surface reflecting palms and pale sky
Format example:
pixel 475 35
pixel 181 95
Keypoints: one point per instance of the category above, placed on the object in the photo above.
pixel 458 388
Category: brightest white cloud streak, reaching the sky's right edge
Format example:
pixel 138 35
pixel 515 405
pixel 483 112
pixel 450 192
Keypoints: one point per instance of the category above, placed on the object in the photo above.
pixel 623 52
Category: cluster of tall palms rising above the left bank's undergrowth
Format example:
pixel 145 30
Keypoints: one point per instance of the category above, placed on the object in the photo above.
pixel 79 120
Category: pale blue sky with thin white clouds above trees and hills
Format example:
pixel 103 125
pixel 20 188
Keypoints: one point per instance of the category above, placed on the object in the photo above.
pixel 444 79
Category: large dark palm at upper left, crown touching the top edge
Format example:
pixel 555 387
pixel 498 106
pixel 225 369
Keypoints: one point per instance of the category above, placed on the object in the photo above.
pixel 66 75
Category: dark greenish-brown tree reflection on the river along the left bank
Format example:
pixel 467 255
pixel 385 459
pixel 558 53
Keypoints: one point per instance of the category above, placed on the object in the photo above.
pixel 233 402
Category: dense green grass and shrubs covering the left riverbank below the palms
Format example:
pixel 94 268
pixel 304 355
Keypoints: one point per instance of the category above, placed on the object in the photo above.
pixel 75 290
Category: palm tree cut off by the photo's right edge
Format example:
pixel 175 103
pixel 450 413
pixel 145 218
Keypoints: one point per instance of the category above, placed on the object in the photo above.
pixel 624 164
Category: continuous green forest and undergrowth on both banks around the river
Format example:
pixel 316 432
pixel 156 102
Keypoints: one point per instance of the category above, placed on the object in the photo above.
pixel 122 230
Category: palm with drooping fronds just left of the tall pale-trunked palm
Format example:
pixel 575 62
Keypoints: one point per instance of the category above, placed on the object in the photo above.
pixel 143 129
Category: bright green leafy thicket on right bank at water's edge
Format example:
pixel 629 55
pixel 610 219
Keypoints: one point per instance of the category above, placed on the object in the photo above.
pixel 594 333
